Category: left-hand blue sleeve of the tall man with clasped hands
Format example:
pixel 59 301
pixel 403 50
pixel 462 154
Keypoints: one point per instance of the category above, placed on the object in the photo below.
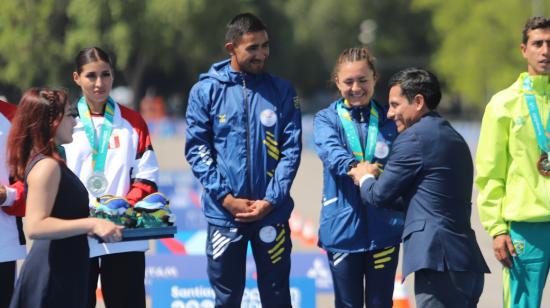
pixel 199 149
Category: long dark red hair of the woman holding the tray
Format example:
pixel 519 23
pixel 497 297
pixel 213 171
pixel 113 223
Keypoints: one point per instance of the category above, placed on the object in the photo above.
pixel 33 128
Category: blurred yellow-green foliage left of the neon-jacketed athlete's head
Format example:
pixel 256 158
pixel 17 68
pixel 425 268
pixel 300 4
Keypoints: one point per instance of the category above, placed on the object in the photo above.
pixel 478 51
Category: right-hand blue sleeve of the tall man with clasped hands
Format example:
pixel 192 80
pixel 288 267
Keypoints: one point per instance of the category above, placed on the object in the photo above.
pixel 278 188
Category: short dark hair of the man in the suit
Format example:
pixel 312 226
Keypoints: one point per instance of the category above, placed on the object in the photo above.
pixel 415 81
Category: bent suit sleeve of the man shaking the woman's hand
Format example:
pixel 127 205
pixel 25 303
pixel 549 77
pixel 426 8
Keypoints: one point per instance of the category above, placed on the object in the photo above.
pixel 401 171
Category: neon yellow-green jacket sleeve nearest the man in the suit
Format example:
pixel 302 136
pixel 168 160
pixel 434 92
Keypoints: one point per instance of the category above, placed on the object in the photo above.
pixel 491 163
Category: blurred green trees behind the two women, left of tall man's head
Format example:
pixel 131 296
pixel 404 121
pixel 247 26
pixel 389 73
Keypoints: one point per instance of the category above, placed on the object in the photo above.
pixel 39 39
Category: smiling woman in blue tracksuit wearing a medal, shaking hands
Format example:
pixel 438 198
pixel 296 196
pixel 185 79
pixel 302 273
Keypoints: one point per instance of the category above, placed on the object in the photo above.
pixel 362 242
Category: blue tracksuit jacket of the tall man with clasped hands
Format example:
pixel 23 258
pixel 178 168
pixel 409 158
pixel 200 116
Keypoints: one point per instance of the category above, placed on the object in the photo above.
pixel 243 137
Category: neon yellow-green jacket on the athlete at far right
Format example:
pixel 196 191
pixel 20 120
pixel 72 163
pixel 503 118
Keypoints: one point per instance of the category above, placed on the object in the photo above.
pixel 510 186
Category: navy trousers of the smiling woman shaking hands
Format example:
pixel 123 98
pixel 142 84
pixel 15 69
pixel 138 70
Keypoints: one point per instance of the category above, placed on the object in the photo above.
pixel 364 278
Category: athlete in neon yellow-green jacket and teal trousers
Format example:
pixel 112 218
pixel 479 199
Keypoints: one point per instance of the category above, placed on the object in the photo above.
pixel 513 175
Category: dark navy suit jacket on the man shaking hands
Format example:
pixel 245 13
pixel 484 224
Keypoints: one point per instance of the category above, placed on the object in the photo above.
pixel 430 167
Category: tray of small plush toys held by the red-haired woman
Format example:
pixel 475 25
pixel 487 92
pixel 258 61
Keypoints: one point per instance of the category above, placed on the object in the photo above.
pixel 150 218
